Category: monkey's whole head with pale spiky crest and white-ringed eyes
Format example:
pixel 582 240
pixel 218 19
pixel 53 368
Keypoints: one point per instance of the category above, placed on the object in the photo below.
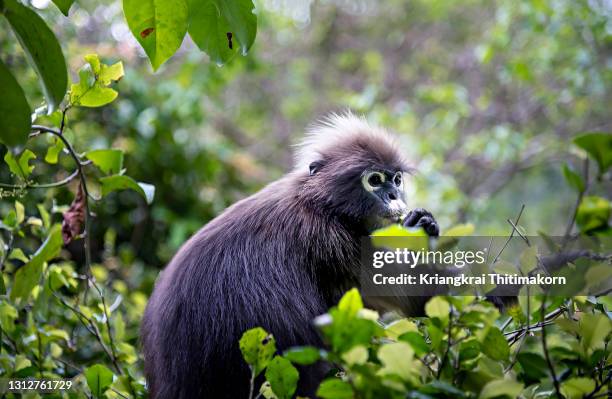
pixel 353 170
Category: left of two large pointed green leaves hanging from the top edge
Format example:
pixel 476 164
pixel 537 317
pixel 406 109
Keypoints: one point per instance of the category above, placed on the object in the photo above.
pixel 158 25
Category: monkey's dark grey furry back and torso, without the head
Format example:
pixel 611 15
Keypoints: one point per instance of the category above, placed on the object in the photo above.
pixel 257 264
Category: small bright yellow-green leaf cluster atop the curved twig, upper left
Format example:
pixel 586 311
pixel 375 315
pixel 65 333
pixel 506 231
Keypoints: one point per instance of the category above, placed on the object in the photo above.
pixel 94 79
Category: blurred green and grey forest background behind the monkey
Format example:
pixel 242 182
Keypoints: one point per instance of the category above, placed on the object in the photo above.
pixel 484 95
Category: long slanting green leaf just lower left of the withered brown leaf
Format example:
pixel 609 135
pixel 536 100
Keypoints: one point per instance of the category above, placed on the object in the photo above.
pixel 27 277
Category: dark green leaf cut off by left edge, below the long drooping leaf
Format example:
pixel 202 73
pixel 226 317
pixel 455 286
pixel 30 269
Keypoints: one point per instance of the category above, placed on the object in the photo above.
pixel 14 110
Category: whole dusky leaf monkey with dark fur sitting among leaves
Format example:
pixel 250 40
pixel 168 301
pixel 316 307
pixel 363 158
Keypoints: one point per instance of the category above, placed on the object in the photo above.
pixel 276 259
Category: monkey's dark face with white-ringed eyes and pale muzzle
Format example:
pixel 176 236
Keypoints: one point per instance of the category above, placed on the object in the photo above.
pixel 384 190
